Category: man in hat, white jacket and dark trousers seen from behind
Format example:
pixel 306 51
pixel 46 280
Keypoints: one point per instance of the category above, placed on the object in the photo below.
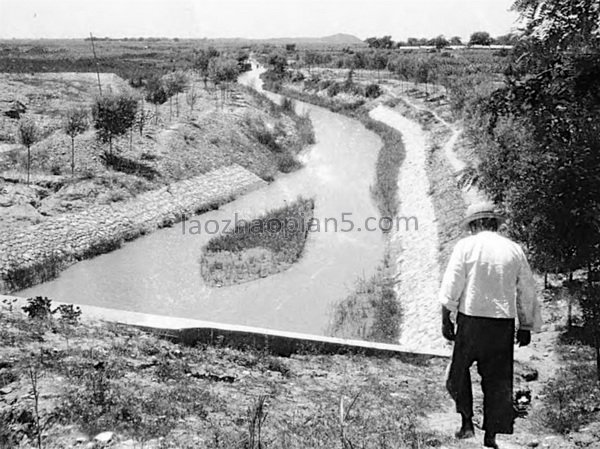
pixel 487 285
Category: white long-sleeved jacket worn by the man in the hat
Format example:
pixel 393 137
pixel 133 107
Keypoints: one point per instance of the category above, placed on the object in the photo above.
pixel 488 276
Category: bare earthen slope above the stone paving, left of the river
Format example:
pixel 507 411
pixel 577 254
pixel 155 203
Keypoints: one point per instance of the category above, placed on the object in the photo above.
pixel 176 143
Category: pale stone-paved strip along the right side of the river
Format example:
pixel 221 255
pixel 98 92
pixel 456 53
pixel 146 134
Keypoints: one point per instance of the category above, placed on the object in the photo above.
pixel 417 267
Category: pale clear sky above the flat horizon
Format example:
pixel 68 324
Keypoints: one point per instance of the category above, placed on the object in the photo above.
pixel 253 18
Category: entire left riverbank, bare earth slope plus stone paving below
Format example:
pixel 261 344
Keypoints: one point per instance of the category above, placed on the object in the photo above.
pixel 60 219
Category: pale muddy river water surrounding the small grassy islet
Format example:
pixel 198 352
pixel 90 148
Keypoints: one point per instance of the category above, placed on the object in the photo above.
pixel 160 273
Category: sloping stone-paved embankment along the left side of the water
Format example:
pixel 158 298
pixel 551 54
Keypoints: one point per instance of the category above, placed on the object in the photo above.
pixel 40 251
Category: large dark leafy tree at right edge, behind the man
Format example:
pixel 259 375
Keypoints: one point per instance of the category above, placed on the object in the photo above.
pixel 541 148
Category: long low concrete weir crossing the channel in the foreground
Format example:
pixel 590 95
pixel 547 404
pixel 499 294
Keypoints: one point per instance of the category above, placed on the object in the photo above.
pixel 188 331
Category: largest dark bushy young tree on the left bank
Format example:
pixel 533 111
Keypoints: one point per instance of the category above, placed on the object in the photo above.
pixel 113 116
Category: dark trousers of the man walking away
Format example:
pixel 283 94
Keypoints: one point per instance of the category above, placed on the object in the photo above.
pixel 489 342
